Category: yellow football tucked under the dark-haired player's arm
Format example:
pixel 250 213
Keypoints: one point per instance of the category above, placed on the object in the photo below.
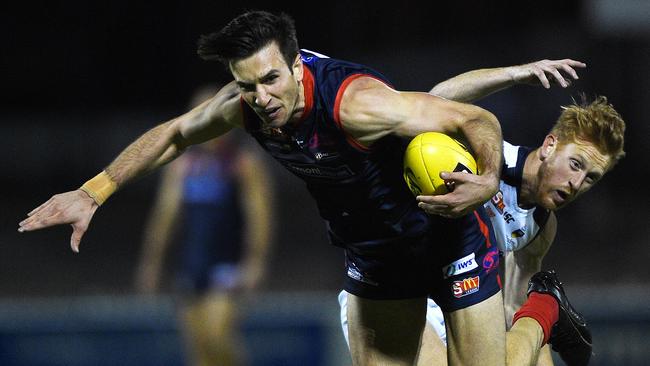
pixel 430 153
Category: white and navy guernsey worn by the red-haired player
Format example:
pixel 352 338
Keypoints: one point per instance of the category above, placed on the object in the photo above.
pixel 514 227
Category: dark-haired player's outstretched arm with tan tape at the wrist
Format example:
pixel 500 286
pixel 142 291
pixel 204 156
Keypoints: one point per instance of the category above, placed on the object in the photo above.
pixel 156 147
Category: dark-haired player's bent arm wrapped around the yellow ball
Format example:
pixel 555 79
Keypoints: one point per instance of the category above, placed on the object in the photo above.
pixel 370 110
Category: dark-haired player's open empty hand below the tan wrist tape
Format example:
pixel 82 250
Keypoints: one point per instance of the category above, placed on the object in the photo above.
pixel 75 208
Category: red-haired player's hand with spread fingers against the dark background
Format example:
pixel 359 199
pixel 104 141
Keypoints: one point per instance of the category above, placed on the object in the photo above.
pixel 545 72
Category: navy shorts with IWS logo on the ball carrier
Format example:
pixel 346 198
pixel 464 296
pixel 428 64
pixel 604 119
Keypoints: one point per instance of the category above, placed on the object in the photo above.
pixel 455 262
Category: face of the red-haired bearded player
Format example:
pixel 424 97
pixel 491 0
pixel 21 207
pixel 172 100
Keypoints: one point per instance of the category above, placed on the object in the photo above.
pixel 568 171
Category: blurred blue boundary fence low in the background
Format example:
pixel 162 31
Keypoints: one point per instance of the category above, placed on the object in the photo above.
pixel 279 328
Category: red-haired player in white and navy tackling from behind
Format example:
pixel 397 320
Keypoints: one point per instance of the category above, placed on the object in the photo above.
pixel 584 144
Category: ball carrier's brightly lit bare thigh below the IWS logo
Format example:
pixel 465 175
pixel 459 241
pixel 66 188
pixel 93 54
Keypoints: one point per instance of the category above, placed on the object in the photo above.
pixel 476 335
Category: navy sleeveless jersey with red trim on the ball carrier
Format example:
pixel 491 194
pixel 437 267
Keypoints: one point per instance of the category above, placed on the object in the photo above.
pixel 359 192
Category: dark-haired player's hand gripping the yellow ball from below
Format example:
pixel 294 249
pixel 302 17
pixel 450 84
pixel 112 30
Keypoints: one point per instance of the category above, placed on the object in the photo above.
pixel 467 192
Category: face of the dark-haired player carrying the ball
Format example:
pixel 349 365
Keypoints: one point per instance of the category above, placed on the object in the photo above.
pixel 267 84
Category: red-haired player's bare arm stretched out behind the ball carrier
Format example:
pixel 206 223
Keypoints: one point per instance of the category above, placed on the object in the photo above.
pixel 477 84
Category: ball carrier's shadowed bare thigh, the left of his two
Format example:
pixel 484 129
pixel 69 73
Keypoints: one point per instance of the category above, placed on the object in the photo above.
pixel 385 332
